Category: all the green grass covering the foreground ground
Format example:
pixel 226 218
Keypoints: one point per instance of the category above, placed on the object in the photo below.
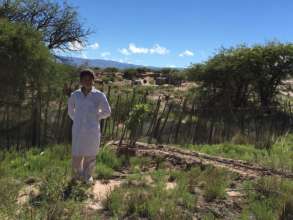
pixel 50 168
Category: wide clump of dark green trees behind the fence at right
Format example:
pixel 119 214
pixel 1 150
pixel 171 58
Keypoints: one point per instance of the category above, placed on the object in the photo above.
pixel 235 75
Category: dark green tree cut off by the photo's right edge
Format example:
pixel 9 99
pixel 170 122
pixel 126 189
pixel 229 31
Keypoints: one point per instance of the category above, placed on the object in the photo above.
pixel 270 66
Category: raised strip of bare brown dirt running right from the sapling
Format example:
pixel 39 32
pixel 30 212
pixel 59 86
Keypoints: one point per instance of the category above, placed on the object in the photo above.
pixel 175 155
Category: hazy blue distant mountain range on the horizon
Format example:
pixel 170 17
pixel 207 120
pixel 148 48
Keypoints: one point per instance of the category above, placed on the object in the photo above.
pixel 77 61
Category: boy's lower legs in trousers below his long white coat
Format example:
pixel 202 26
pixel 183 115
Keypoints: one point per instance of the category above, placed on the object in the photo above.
pixel 83 166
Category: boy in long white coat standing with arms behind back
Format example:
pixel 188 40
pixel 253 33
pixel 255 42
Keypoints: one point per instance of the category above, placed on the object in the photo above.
pixel 86 107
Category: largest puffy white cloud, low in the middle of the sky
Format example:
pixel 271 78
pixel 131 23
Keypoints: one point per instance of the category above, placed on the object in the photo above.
pixel 133 49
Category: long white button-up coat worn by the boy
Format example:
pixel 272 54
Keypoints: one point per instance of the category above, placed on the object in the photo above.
pixel 86 111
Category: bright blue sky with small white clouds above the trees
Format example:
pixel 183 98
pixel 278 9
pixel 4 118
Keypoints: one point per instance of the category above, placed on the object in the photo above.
pixel 176 33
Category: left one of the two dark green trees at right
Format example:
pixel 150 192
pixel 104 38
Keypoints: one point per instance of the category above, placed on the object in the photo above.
pixel 225 78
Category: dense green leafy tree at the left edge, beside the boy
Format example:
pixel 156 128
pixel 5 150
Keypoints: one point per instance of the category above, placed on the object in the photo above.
pixel 29 80
